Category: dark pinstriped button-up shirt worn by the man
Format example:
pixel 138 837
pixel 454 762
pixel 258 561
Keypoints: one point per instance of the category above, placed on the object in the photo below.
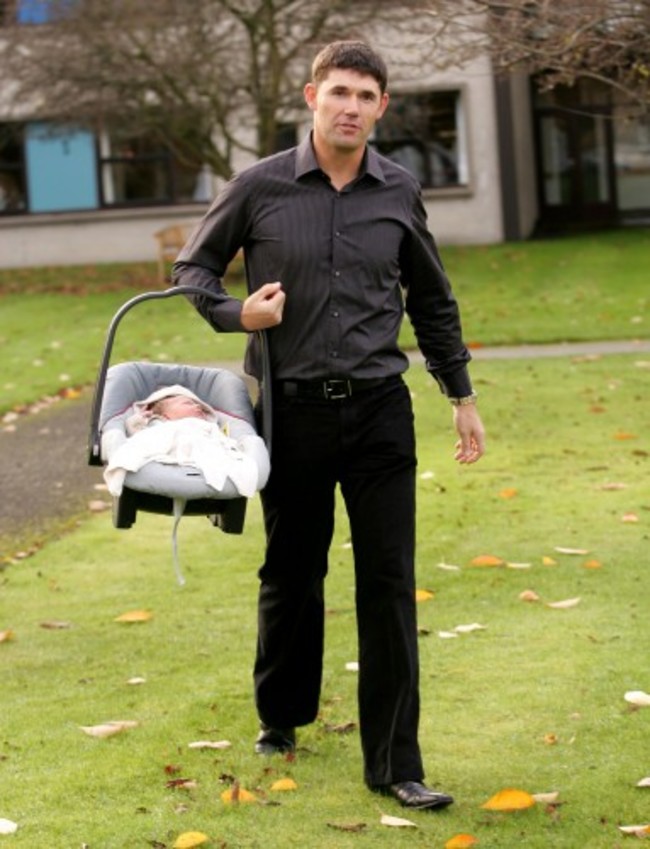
pixel 351 262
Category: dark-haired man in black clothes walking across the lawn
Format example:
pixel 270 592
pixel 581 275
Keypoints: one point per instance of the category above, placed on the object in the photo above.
pixel 337 248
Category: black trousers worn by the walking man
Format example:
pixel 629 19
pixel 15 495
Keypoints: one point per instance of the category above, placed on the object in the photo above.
pixel 366 444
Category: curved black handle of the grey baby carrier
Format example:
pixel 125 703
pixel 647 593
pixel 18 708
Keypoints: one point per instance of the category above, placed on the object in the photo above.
pixel 94 441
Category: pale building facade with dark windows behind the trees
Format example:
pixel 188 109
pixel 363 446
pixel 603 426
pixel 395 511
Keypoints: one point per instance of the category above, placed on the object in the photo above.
pixel 496 160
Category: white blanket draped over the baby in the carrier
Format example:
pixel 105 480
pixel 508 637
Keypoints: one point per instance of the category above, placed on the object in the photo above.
pixel 188 442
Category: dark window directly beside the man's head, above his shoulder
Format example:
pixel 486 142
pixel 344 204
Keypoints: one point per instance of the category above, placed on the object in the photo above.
pixel 425 133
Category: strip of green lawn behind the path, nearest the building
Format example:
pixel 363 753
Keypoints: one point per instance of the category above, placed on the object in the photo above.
pixel 54 321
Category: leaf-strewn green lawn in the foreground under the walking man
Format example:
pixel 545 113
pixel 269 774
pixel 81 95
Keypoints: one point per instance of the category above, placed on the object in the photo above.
pixel 534 700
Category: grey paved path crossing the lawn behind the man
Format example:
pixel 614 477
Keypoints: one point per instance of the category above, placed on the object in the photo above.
pixel 47 484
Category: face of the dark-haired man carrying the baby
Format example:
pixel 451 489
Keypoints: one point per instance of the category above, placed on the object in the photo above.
pixel 346 106
